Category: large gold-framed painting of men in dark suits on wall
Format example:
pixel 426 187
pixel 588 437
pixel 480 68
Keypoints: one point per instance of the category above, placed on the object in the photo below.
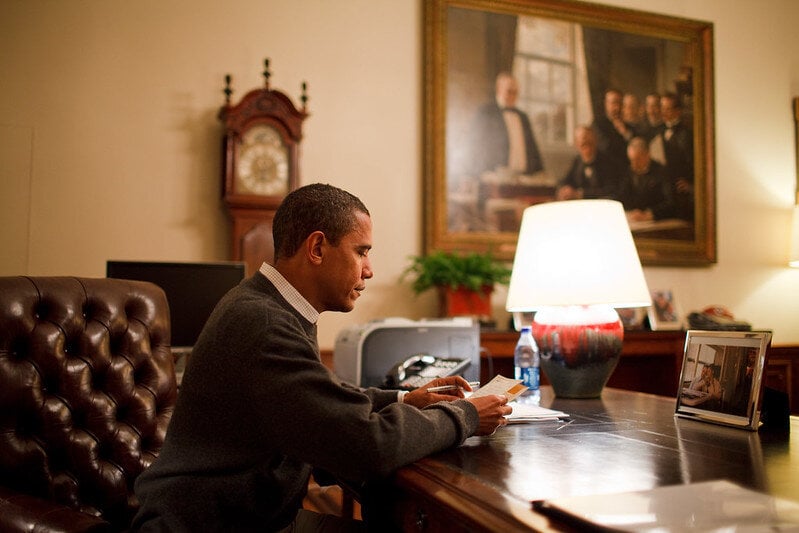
pixel 530 101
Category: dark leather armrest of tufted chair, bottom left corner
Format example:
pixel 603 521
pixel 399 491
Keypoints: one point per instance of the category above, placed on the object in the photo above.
pixel 20 512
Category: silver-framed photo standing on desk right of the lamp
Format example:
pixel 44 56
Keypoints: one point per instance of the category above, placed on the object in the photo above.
pixel 721 377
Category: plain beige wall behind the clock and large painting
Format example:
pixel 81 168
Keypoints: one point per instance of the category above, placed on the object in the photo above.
pixel 109 138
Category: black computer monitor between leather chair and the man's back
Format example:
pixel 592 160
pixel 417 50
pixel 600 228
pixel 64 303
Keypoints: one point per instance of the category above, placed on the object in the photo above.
pixel 192 290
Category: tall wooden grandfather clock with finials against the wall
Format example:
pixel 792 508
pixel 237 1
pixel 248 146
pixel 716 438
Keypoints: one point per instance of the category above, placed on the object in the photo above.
pixel 260 165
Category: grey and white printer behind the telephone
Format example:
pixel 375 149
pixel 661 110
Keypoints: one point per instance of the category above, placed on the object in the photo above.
pixel 364 354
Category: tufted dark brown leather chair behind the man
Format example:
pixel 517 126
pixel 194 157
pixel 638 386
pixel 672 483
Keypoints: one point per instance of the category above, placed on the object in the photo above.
pixel 87 389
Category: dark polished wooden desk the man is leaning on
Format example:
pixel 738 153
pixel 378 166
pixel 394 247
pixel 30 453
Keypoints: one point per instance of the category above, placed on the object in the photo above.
pixel 624 441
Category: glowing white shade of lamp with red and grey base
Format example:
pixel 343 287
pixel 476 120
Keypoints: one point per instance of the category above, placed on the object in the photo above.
pixel 576 252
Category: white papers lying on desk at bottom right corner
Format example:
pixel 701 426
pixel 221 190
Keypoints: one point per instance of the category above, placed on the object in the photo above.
pixel 707 506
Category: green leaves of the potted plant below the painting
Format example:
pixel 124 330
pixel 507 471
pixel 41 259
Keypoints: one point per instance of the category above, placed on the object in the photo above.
pixel 473 271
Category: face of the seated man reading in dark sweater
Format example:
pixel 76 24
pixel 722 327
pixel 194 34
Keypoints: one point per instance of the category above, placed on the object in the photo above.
pixel 347 267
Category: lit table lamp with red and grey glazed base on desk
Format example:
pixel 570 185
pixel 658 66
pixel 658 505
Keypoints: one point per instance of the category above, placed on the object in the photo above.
pixel 576 263
